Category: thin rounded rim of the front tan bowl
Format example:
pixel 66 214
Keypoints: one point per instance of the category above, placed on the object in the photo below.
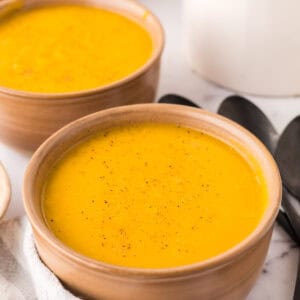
pixel 217 261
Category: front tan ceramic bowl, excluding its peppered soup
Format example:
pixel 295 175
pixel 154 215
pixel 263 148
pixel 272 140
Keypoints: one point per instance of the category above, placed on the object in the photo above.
pixel 227 276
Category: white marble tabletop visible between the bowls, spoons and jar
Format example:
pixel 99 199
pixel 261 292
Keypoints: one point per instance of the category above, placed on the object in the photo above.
pixel 278 279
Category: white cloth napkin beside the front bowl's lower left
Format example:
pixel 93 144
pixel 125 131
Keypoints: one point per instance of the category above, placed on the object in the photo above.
pixel 22 274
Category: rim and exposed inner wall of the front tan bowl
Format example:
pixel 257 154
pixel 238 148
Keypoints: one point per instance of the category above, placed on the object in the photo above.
pixel 197 119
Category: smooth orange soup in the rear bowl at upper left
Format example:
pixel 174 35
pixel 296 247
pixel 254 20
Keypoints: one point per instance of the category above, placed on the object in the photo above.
pixel 69 48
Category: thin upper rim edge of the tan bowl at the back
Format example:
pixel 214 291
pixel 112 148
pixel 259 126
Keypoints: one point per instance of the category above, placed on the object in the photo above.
pixel 155 56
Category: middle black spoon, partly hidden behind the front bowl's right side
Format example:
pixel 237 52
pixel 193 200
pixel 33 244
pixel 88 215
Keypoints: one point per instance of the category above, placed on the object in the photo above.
pixel 251 117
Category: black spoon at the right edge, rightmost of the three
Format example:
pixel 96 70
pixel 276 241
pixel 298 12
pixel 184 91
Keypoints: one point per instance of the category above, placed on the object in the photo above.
pixel 288 157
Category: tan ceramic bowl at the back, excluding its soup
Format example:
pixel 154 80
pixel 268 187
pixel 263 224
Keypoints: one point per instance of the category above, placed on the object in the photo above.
pixel 27 119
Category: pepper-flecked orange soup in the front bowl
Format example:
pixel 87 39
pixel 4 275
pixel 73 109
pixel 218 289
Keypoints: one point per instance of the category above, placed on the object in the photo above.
pixel 153 195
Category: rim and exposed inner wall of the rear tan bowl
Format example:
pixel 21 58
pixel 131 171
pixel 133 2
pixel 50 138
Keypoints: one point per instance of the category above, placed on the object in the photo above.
pixel 131 9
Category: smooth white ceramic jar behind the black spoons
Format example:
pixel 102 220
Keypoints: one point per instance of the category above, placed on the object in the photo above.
pixel 250 46
